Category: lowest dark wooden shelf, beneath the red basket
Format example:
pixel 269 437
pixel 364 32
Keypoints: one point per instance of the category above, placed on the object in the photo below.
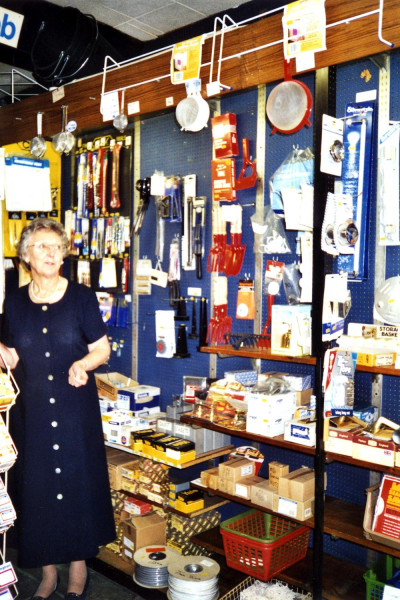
pixel 341 581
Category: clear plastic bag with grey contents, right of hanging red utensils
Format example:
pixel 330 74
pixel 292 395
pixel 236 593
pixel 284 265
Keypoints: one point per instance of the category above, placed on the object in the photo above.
pixel 269 234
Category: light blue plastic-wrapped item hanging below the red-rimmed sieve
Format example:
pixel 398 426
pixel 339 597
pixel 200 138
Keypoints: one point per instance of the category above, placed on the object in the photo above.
pixel 297 168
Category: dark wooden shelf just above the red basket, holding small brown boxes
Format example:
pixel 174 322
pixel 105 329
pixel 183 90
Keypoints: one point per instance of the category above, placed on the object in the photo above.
pixel 342 519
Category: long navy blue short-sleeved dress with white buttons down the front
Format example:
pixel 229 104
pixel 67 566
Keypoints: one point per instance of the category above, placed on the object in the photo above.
pixel 63 500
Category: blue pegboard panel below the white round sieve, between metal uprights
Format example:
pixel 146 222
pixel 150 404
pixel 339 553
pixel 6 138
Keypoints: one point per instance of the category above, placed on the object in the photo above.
pixel 165 148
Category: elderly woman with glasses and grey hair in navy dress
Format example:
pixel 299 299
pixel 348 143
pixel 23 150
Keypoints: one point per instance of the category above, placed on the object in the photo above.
pixel 54 337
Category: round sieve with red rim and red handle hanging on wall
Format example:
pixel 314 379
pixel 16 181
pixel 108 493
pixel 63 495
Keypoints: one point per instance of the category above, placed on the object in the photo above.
pixel 289 105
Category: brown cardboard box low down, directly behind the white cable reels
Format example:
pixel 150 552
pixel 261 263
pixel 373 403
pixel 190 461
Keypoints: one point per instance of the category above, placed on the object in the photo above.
pixel 146 530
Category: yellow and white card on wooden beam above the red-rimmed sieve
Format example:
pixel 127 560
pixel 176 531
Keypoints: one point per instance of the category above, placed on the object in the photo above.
pixel 304 27
